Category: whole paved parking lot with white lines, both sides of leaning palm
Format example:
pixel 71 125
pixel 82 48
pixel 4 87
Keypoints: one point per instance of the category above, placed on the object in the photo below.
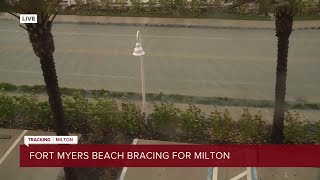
pixel 10 166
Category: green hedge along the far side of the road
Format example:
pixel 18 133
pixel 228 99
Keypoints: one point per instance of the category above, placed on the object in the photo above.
pixel 184 9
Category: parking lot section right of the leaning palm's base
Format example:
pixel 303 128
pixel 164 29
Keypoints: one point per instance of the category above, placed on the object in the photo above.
pixel 215 173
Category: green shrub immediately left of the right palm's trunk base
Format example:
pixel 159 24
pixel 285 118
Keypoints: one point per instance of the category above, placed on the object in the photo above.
pixel 252 127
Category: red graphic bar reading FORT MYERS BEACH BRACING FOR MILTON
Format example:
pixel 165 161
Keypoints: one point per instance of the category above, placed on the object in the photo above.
pixel 170 156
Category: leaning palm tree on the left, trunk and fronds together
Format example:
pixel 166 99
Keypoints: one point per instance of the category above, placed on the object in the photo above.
pixel 41 39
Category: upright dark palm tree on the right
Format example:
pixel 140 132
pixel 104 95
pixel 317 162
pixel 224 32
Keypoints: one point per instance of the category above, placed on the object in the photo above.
pixel 284 20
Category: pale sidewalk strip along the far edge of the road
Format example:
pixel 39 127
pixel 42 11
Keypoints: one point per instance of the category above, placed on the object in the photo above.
pixel 178 22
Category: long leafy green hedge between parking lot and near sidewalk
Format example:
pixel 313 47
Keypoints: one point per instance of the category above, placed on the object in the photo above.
pixel 104 120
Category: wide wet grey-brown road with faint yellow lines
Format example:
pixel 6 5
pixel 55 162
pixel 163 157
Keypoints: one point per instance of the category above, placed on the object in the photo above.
pixel 200 62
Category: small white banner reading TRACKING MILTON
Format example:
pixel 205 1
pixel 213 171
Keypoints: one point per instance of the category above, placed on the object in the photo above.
pixel 50 140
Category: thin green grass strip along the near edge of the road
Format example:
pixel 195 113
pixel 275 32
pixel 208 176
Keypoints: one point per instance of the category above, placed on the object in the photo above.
pixel 175 98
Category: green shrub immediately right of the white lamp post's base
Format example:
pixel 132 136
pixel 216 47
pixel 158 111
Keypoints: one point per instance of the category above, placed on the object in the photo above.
pixel 166 120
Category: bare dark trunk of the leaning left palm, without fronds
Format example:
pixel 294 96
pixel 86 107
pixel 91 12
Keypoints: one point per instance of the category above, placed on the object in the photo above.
pixel 43 46
